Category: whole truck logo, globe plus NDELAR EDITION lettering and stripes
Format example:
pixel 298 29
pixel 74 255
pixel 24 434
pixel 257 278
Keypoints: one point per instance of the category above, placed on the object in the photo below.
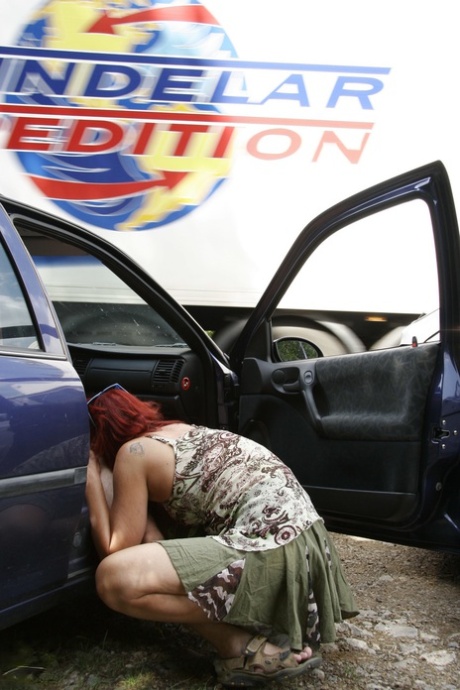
pixel 127 115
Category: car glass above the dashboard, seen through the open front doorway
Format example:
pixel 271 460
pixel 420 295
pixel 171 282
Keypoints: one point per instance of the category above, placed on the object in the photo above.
pixel 93 304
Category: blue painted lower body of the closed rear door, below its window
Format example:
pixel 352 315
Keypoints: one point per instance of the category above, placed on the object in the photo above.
pixel 45 447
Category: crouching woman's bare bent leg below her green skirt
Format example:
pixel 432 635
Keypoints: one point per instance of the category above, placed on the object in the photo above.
pixel 141 582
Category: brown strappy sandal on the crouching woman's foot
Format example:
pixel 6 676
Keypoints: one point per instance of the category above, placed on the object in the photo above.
pixel 256 668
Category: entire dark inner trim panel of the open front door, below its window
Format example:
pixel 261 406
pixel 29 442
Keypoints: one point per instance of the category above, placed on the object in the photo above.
pixel 361 418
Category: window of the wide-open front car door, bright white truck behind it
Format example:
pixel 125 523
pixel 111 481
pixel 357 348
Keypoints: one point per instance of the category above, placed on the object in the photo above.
pixel 381 266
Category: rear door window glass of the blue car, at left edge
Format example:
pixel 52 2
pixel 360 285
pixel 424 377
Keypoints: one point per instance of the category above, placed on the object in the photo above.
pixel 16 326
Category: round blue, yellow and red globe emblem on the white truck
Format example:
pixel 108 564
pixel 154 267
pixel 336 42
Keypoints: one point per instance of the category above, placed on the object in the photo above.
pixel 123 131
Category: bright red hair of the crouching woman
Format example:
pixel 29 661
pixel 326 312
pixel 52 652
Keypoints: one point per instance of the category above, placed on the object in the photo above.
pixel 118 417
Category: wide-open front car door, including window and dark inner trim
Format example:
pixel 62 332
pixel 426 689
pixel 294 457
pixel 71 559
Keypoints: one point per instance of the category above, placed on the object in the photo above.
pixel 371 434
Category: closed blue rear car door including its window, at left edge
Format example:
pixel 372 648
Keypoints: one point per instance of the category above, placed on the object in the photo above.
pixel 44 436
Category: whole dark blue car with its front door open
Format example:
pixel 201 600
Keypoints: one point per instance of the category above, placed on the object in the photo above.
pixel 369 421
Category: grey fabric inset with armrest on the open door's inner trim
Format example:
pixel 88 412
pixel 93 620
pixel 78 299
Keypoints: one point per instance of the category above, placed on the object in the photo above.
pixel 374 396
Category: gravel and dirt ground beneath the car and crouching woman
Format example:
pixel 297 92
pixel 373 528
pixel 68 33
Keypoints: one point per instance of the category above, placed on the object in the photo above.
pixel 407 636
